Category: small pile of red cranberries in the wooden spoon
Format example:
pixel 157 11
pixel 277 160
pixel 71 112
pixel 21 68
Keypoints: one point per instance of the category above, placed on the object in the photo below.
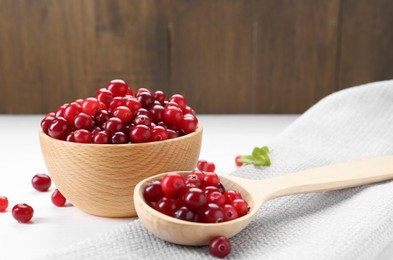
pixel 198 197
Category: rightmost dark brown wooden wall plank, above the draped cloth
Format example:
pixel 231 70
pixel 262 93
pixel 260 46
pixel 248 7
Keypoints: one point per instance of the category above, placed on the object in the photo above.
pixel 366 42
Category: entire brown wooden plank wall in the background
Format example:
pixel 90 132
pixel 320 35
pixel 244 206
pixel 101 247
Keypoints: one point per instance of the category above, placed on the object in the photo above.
pixel 225 56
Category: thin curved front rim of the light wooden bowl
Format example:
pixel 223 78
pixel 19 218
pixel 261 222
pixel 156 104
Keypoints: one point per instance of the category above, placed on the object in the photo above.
pixel 198 131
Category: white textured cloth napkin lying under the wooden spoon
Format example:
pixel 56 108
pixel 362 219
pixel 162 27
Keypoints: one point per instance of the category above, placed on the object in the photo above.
pixel 355 223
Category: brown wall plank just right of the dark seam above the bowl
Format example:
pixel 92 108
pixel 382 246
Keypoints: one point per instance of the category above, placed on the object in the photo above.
pixel 211 50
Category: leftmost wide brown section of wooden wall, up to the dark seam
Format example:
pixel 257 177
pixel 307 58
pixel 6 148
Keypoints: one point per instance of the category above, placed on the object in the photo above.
pixel 54 52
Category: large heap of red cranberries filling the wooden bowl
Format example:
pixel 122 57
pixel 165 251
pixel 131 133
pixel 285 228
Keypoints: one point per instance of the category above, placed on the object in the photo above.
pixel 115 115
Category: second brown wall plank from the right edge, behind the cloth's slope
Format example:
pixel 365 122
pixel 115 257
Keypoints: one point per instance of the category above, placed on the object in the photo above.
pixel 295 53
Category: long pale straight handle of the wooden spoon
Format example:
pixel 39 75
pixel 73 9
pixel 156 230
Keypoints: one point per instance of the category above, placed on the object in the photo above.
pixel 333 177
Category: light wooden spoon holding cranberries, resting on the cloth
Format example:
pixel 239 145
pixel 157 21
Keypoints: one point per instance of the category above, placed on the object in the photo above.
pixel 327 178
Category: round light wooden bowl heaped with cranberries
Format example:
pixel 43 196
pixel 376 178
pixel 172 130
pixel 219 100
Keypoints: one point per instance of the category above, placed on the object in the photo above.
pixel 100 179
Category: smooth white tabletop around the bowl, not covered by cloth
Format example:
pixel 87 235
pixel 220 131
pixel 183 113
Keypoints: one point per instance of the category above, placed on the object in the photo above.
pixel 53 228
